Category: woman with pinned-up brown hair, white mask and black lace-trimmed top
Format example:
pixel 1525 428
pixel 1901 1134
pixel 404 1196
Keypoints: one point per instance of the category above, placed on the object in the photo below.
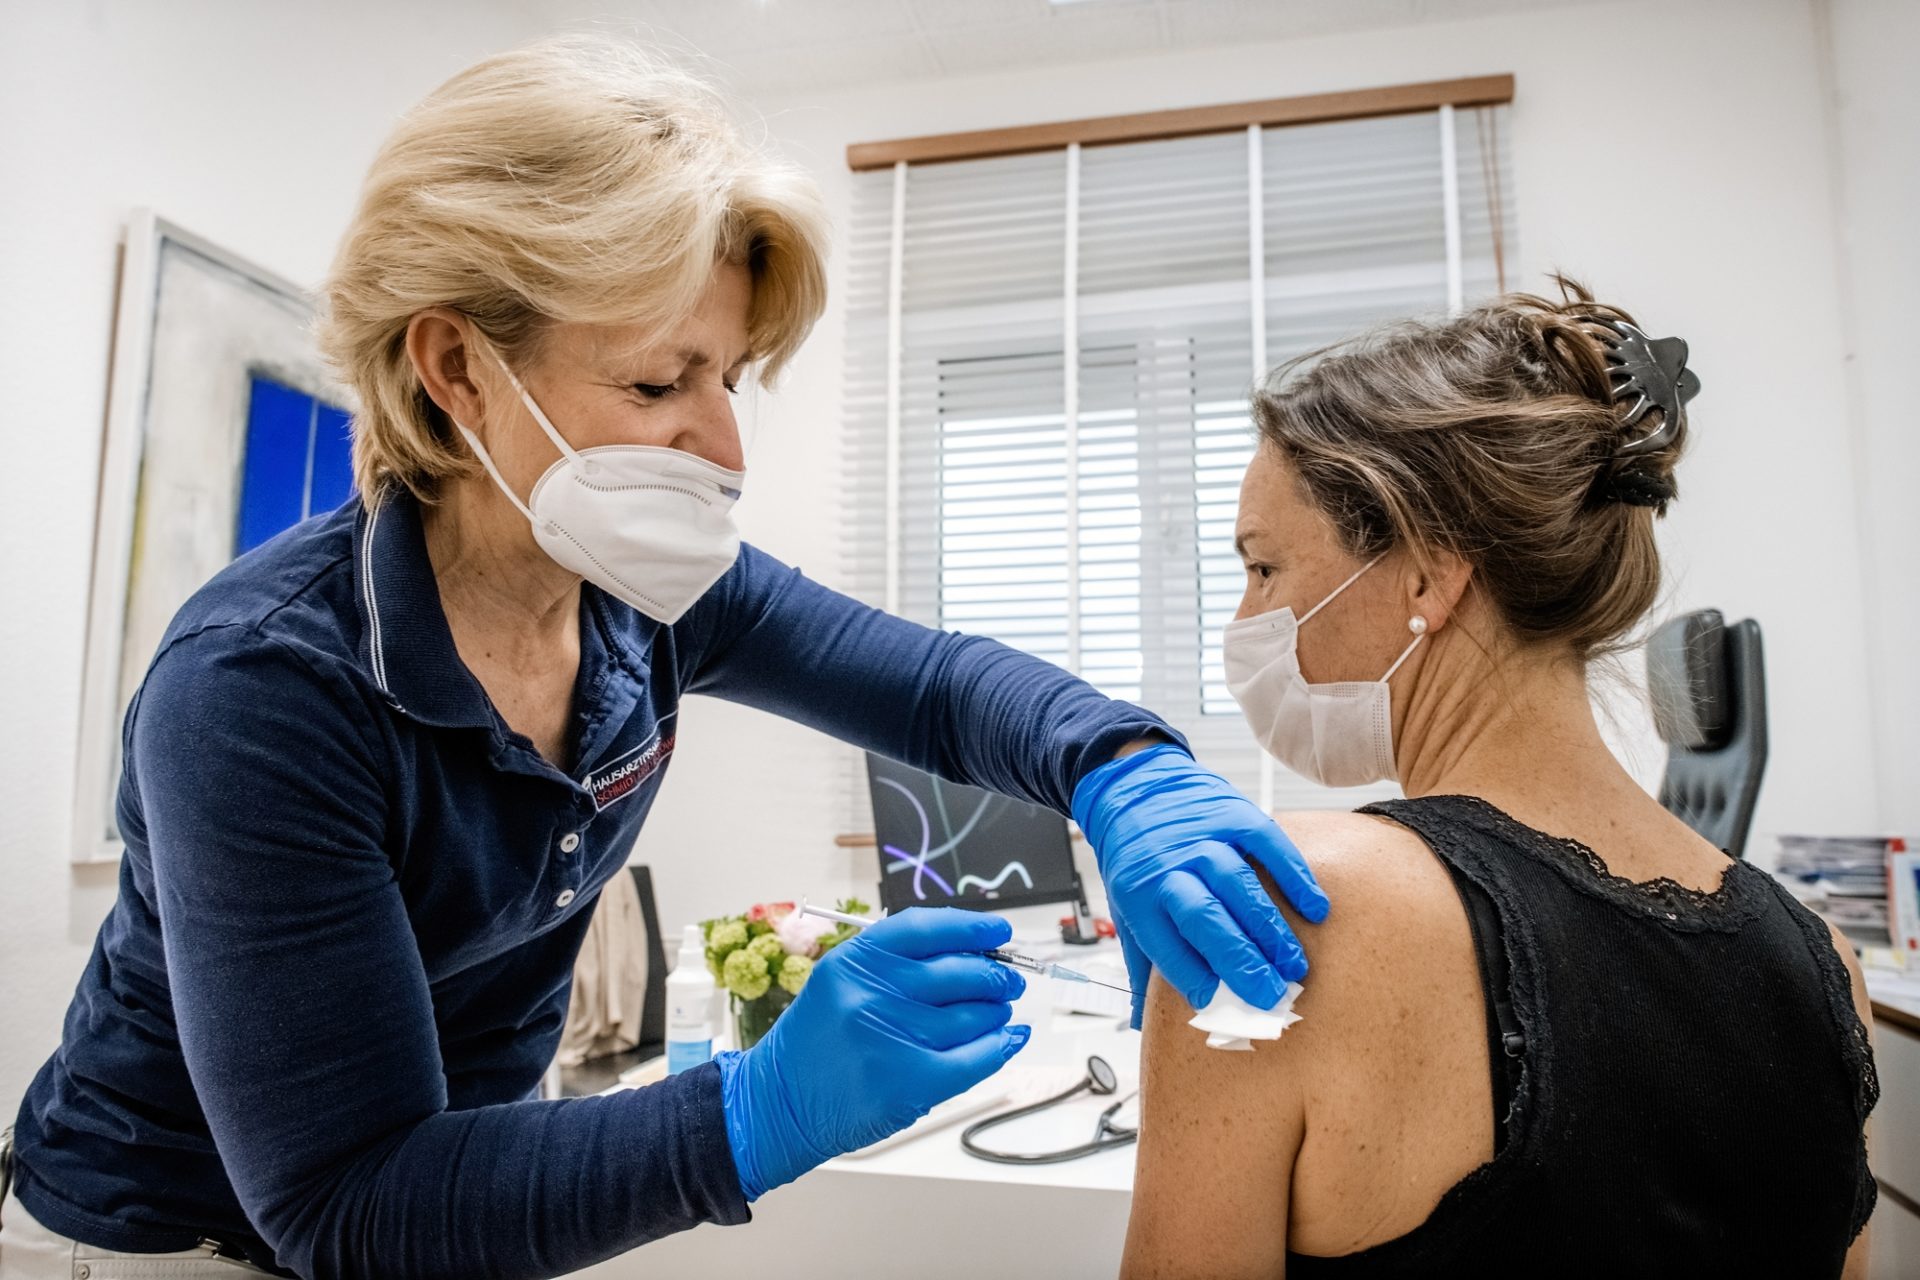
pixel 1554 1031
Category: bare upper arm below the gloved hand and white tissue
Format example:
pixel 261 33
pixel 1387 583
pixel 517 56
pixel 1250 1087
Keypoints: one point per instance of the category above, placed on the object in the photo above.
pixel 1218 1141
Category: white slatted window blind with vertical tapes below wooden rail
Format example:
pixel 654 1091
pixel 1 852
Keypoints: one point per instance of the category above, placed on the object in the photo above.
pixel 1049 364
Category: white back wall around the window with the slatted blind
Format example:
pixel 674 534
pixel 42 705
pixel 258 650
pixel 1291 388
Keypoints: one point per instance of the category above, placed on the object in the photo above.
pixel 1687 179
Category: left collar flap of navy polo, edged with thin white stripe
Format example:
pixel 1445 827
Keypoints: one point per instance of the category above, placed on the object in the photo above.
pixel 406 642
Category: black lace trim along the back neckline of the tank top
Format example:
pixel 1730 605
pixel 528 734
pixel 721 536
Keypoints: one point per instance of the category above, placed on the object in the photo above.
pixel 1740 899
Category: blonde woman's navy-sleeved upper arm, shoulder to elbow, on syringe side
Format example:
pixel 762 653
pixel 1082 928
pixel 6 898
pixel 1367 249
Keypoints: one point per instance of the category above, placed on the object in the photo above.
pixel 299 991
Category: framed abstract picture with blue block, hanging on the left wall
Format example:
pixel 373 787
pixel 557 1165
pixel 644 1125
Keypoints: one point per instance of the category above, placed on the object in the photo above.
pixel 224 429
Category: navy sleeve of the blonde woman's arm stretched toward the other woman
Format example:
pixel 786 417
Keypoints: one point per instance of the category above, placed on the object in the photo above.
pixel 963 707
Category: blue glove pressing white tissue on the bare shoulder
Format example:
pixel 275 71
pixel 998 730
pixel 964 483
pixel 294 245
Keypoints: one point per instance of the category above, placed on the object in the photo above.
pixel 1170 840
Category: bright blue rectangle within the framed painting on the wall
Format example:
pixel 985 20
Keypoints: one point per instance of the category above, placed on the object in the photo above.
pixel 297 462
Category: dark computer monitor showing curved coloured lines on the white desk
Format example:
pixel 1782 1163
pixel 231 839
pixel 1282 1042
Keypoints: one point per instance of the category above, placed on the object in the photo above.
pixel 951 845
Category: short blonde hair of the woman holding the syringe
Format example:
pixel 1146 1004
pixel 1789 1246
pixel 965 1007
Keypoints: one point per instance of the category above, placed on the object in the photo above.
pixel 569 181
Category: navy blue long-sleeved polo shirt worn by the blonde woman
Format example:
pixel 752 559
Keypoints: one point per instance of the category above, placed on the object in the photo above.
pixel 352 899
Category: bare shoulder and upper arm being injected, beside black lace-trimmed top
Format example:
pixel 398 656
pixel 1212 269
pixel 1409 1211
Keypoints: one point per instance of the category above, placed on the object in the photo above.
pixel 1349 1127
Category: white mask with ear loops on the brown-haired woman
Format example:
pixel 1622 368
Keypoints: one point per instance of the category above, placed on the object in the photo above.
pixel 1337 736
